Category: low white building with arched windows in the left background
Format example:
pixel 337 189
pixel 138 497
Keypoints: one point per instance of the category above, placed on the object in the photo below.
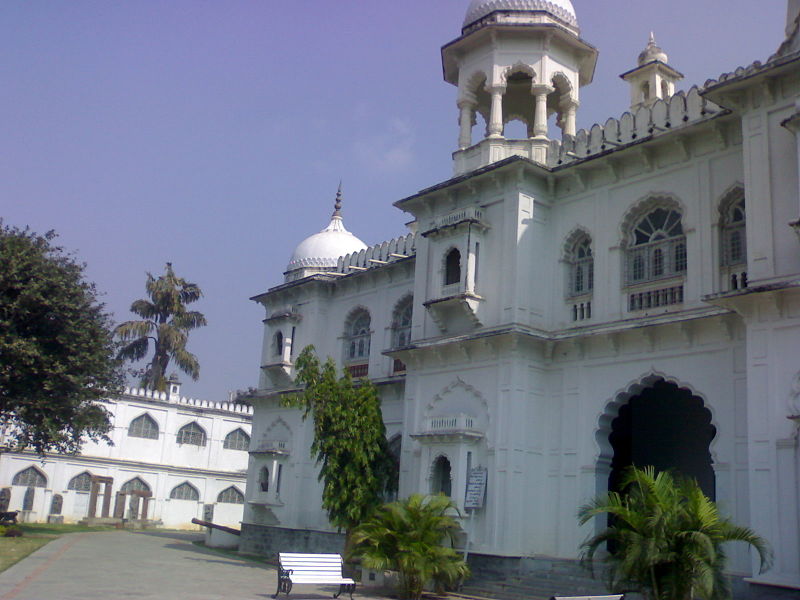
pixel 189 456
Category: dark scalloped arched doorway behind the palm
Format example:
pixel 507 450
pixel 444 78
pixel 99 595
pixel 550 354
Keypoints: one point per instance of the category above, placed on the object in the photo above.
pixel 665 426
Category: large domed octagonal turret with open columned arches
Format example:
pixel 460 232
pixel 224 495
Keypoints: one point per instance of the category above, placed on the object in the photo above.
pixel 516 60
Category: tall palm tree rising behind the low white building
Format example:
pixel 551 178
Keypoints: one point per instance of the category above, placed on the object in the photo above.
pixel 165 322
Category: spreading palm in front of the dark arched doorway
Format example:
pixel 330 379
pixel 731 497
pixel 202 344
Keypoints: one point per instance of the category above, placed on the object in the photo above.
pixel 667 537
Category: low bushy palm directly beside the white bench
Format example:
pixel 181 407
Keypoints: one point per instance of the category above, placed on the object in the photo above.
pixel 407 536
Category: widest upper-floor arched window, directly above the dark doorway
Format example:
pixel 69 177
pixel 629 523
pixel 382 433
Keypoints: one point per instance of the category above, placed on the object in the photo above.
pixel 657 247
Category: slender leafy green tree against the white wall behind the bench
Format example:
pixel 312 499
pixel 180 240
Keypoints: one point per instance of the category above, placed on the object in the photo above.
pixel 350 444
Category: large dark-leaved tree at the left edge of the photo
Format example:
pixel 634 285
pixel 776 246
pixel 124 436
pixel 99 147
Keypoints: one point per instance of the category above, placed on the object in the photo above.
pixel 57 355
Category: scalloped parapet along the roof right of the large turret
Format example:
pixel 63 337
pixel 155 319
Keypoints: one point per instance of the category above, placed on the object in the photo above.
pixel 648 121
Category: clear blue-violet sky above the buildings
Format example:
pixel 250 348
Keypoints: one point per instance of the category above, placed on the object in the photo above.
pixel 213 134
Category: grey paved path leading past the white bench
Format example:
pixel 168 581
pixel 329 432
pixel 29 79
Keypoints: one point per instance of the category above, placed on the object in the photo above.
pixel 122 564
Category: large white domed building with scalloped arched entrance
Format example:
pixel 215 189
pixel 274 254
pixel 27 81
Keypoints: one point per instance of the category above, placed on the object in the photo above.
pixel 563 308
